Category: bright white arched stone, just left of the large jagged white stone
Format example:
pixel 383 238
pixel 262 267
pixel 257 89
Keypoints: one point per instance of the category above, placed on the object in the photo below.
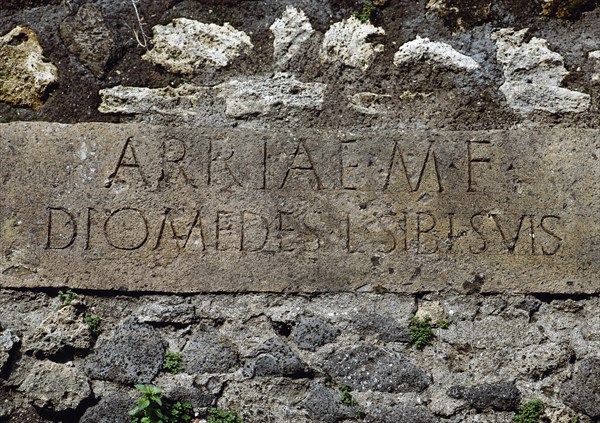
pixel 433 52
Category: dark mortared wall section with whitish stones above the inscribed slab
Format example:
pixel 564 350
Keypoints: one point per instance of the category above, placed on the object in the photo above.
pixel 445 64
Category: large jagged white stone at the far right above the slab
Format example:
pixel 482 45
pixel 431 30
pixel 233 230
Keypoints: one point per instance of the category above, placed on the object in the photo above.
pixel 533 75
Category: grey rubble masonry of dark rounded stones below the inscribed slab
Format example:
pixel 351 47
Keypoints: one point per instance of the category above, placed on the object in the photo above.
pixel 454 379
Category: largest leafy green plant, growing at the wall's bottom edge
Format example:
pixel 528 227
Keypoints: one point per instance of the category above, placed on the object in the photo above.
pixel 150 408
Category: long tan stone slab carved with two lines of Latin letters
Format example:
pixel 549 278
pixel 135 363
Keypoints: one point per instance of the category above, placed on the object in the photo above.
pixel 136 207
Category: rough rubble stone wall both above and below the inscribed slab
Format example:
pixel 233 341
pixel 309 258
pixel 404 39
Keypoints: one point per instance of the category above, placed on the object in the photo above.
pixel 440 64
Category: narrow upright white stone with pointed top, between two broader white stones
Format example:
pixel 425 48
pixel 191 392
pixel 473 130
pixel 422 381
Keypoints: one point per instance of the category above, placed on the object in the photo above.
pixel 291 31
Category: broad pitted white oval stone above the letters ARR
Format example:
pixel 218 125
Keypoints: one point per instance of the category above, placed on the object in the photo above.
pixel 185 45
